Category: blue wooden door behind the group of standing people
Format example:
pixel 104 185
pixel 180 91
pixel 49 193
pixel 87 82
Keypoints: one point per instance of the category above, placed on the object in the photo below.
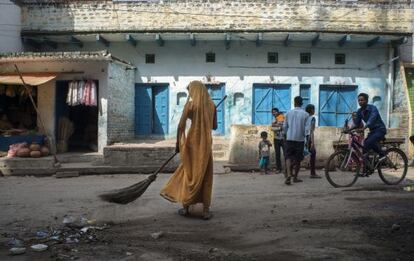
pixel 266 97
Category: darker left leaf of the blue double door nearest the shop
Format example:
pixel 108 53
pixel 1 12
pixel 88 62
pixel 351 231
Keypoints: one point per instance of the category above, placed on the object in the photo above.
pixel 143 109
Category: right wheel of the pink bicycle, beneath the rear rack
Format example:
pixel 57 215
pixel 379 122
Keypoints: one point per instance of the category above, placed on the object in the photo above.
pixel 394 169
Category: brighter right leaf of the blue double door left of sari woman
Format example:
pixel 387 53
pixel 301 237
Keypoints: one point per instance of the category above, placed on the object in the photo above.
pixel 160 115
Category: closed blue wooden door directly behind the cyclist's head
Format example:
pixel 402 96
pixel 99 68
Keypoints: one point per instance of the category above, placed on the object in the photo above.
pixel 336 103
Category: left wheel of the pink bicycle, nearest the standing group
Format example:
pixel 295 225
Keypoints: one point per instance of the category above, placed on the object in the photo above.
pixel 341 170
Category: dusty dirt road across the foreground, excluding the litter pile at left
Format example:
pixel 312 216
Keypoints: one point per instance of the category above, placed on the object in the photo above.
pixel 256 217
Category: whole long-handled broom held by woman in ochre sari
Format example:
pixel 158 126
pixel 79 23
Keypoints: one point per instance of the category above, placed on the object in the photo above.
pixel 131 193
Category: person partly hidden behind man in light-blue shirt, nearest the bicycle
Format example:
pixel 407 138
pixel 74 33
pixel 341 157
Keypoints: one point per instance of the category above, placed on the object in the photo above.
pixel 310 139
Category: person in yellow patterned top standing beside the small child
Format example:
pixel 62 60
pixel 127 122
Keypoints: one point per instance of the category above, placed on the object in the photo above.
pixel 277 127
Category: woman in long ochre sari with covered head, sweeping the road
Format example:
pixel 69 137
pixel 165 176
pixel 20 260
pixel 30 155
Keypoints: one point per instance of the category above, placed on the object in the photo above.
pixel 192 182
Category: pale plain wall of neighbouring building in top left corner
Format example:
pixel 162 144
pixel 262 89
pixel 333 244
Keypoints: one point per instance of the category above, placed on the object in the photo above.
pixel 10 25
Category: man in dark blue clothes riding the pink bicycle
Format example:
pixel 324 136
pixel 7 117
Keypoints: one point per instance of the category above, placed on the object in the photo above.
pixel 370 115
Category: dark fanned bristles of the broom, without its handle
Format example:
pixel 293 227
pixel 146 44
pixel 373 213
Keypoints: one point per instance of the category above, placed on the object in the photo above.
pixel 128 194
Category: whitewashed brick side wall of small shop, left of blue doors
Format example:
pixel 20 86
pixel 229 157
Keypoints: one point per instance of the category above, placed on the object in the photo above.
pixel 121 94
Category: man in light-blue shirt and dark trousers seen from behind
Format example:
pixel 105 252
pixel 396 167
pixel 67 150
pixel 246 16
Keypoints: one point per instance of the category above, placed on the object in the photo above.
pixel 294 128
